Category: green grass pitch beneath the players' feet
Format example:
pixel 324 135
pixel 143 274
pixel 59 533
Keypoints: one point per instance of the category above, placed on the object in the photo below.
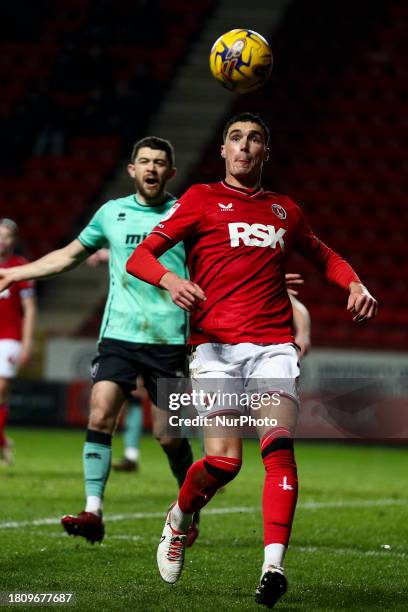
pixel 353 501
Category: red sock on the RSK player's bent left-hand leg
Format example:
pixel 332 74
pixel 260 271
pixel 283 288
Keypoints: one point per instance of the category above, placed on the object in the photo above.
pixel 203 480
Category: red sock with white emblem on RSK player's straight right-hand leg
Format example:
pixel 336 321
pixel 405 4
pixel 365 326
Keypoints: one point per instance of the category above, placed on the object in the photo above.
pixel 280 488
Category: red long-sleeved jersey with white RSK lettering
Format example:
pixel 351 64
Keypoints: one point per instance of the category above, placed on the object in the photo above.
pixel 236 243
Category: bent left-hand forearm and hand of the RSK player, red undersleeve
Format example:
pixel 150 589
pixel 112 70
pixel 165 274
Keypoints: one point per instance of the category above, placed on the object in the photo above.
pixel 144 264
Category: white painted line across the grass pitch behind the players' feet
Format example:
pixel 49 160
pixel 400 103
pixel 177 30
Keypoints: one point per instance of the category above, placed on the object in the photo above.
pixel 312 505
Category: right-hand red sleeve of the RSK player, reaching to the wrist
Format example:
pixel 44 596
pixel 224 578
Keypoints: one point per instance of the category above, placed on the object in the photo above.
pixel 335 268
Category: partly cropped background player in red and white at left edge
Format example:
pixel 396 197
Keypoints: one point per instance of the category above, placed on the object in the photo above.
pixel 17 316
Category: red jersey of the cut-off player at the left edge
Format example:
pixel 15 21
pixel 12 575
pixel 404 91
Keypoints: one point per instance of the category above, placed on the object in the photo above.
pixel 11 313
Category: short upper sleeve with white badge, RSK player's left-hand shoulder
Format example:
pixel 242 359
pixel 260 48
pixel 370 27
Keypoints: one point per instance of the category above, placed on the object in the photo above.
pixel 183 219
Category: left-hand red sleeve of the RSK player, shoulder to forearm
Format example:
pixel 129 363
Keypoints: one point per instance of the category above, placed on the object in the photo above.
pixel 183 219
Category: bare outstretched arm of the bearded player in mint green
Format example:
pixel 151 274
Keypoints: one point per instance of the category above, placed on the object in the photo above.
pixel 53 263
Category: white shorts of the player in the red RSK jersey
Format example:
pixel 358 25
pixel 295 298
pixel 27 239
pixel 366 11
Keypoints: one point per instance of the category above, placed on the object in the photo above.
pixel 226 371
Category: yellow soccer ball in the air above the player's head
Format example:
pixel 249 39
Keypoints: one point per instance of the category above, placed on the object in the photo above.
pixel 241 60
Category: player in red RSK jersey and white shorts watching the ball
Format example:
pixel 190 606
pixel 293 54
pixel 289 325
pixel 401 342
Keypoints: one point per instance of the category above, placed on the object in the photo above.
pixel 237 236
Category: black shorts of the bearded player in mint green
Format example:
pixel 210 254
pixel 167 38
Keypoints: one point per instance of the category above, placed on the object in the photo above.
pixel 122 362
